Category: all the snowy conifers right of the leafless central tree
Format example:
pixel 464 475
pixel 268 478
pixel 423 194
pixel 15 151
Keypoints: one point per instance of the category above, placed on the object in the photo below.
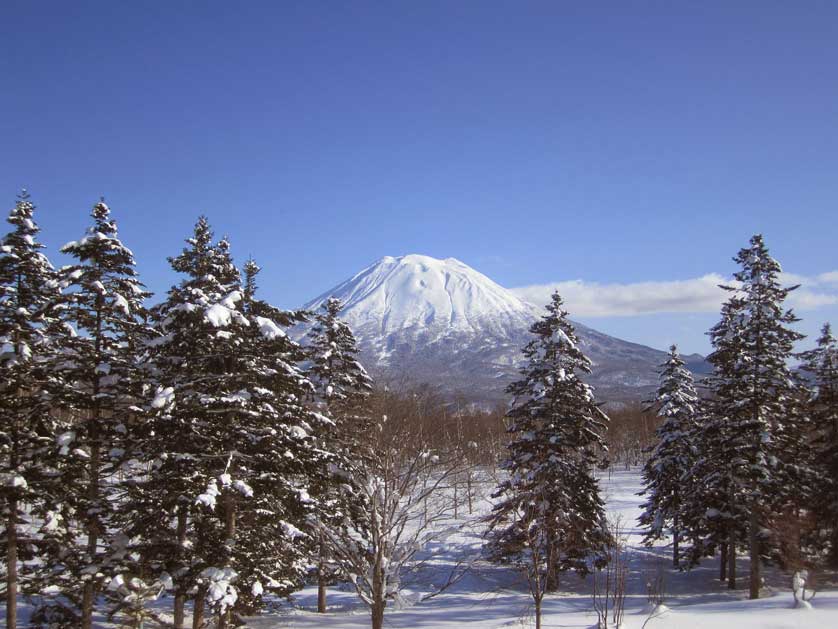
pixel 750 465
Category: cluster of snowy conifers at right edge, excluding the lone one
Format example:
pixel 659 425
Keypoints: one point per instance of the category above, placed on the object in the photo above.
pixel 750 464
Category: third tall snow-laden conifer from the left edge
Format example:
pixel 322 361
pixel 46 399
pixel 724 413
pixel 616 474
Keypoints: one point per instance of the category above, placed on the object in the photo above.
pixel 160 513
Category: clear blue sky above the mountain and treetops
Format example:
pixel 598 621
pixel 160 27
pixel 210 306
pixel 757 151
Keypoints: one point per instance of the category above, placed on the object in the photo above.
pixel 613 142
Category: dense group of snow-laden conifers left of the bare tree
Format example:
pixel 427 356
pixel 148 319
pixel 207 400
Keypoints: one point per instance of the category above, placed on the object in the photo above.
pixel 189 447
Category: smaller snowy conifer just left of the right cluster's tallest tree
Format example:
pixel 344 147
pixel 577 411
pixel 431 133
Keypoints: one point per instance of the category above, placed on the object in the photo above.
pixel 666 470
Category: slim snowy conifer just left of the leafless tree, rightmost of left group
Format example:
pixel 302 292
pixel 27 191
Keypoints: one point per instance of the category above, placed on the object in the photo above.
pixel 342 386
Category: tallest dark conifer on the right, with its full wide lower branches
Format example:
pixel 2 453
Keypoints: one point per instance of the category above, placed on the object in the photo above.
pixel 752 466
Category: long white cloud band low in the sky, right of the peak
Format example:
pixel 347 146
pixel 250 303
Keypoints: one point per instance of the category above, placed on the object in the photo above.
pixel 701 294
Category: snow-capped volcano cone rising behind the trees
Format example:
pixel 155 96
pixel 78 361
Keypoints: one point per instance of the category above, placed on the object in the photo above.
pixel 419 319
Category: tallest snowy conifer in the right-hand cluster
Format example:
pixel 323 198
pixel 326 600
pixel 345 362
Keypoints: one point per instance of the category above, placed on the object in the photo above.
pixel 757 400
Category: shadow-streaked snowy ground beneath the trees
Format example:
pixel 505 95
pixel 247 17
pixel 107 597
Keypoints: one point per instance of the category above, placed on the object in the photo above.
pixel 490 597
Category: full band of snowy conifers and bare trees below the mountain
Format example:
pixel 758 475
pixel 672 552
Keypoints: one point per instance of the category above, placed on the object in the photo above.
pixel 192 450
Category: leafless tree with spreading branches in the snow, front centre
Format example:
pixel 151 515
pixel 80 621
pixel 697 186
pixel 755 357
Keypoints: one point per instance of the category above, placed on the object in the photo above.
pixel 408 505
